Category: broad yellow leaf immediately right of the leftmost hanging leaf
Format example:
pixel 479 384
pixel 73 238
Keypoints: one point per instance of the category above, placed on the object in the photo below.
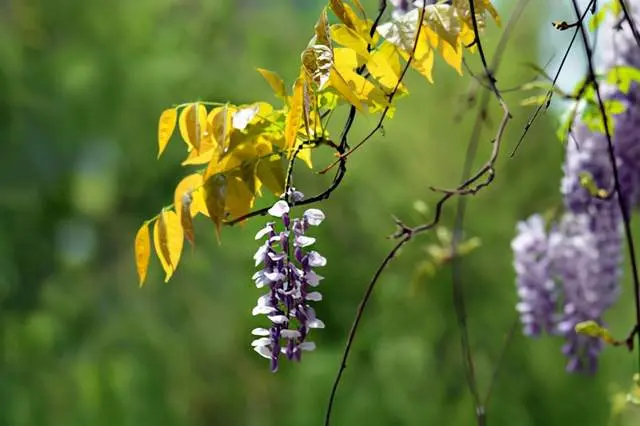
pixel 168 240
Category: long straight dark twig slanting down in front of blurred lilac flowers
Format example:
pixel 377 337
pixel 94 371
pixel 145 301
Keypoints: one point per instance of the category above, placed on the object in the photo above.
pixel 622 201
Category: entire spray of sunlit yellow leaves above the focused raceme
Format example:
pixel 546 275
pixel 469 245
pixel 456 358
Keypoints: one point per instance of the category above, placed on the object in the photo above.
pixel 237 153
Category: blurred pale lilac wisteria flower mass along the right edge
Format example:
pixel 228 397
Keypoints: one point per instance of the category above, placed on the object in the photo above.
pixel 569 272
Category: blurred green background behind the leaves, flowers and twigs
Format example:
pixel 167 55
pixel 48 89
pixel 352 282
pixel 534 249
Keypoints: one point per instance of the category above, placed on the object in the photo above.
pixel 82 84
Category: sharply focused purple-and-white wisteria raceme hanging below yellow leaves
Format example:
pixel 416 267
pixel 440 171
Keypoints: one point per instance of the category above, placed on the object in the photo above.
pixel 289 277
